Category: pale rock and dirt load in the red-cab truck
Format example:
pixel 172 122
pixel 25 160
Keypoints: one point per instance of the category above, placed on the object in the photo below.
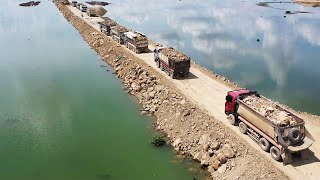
pixel 270 110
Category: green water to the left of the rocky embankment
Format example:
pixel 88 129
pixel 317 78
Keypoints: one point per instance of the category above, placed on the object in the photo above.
pixel 62 116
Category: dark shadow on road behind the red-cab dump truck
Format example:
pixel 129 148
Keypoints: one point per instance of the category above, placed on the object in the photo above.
pixel 302 159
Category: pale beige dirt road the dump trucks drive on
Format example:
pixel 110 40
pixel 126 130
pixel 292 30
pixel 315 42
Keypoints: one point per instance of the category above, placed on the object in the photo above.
pixel 209 94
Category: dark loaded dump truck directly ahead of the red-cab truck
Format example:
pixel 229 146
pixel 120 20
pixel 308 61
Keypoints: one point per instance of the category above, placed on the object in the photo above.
pixel 172 61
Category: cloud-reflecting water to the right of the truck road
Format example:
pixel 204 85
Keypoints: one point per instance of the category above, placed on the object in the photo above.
pixel 222 36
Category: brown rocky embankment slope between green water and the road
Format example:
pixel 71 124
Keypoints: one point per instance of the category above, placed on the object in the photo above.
pixel 190 130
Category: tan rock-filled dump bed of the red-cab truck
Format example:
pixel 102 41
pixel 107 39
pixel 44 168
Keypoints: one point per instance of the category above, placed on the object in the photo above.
pixel 275 121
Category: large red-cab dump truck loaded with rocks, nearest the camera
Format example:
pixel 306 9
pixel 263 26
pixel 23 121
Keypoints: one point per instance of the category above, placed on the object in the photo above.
pixel 272 126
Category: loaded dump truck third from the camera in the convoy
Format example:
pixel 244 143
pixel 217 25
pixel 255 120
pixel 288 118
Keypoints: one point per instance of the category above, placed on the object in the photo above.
pixel 136 42
